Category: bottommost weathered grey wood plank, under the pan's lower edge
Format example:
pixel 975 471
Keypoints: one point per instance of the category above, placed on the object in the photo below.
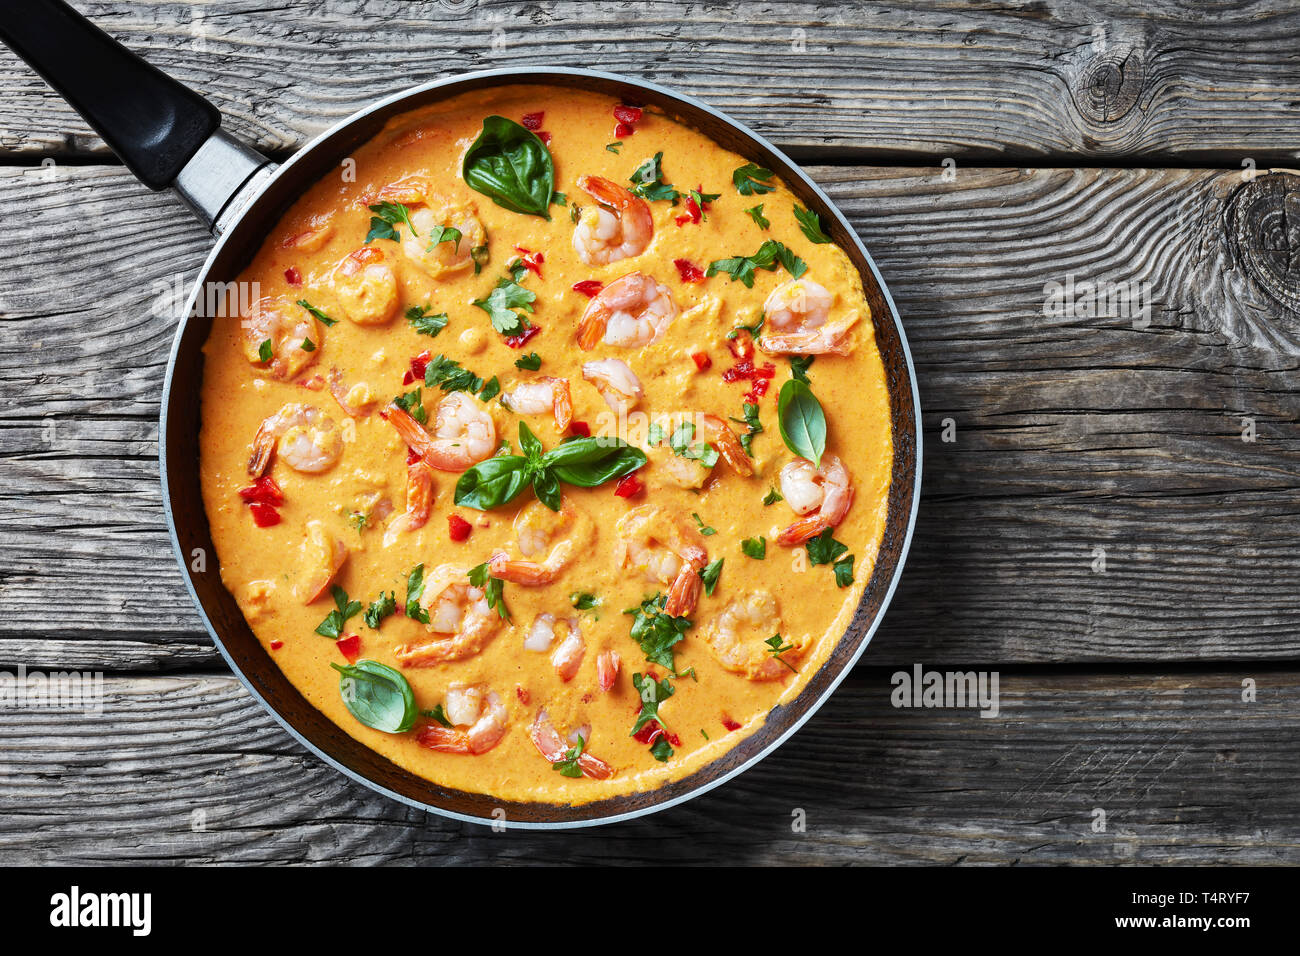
pixel 190 769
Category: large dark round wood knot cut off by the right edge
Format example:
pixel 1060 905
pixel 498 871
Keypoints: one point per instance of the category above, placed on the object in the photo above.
pixel 1264 227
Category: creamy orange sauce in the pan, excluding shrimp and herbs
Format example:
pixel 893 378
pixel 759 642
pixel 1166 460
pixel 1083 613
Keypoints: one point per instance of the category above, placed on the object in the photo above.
pixel 268 569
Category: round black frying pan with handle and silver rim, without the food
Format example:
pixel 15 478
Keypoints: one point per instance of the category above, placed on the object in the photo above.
pixel 171 139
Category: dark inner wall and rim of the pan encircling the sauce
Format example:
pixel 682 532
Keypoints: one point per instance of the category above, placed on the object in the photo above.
pixel 227 622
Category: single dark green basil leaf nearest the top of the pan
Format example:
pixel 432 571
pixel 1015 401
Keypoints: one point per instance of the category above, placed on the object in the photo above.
pixel 510 166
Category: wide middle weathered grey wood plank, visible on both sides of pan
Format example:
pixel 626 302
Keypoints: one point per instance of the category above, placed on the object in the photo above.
pixel 1071 434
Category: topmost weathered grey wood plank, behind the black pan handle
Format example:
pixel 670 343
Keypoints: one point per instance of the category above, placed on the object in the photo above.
pixel 1162 83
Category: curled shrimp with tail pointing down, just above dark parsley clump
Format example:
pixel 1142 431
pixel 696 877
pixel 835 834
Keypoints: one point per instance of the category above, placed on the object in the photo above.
pixel 668 548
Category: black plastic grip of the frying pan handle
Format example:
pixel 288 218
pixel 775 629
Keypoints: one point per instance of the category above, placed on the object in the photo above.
pixel 151 122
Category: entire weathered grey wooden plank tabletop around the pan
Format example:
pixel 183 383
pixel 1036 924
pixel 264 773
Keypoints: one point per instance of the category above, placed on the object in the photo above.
pixel 1111 501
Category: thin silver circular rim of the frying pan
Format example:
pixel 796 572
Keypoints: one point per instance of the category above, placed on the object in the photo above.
pixel 538 75
